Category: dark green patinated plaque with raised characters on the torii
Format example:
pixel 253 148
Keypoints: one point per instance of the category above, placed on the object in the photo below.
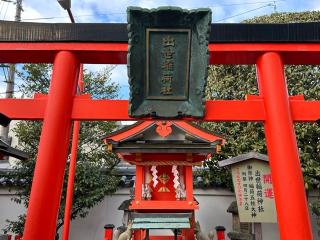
pixel 188 30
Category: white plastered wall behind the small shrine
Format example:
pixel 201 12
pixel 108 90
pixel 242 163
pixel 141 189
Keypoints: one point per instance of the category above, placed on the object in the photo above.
pixel 213 204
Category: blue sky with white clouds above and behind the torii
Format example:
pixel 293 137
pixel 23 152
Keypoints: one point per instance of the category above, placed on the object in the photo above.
pixel 102 11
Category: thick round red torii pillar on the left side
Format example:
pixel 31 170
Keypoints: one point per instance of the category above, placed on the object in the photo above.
pixel 53 149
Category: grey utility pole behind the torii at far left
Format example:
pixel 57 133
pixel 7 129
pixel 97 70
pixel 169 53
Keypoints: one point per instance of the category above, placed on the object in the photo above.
pixel 12 69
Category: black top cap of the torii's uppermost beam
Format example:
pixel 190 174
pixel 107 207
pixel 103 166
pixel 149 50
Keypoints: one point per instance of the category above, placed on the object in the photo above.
pixel 117 32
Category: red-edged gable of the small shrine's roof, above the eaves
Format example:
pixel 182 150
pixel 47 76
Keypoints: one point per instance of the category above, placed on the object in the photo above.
pixel 163 129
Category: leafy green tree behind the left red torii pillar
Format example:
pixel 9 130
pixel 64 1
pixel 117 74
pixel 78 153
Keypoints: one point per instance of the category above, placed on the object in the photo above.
pixel 94 172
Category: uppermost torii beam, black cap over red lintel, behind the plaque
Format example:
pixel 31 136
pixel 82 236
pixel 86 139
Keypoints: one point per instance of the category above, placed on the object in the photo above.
pixel 297 43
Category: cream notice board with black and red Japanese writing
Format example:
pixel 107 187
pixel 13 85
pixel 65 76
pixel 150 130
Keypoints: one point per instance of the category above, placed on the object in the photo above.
pixel 254 192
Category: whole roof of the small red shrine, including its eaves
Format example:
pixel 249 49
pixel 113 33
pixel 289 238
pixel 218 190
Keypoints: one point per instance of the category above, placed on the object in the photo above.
pixel 175 139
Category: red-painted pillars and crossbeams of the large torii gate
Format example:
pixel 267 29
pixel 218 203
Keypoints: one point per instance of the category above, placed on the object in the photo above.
pixel 273 106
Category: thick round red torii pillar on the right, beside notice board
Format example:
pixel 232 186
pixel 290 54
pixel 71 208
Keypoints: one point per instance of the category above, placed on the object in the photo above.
pixel 290 196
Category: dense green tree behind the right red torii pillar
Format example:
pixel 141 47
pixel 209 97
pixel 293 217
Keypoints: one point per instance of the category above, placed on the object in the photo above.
pixel 234 82
